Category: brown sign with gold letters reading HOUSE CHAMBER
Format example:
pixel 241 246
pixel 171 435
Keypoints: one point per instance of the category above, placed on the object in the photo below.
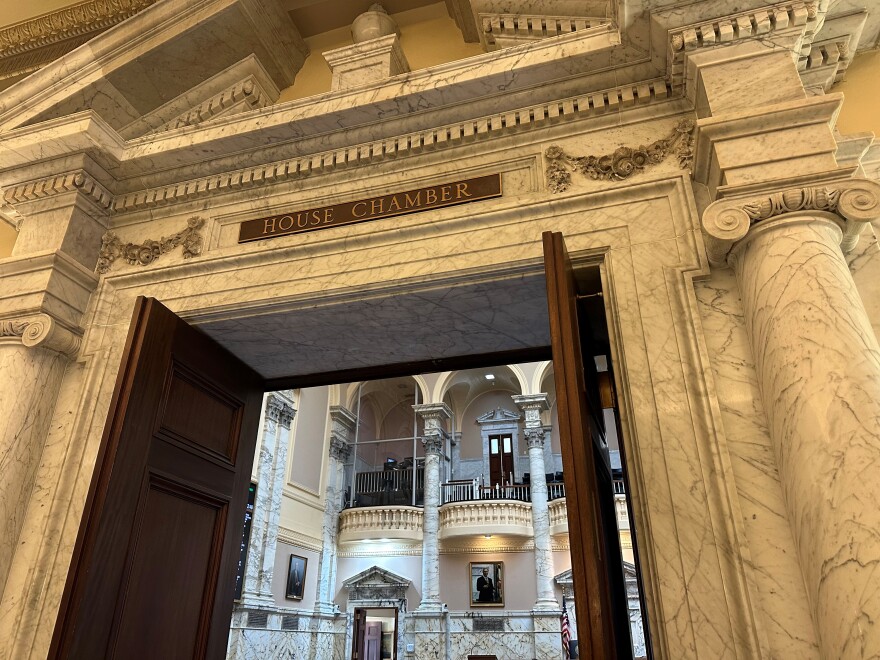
pixel 373 208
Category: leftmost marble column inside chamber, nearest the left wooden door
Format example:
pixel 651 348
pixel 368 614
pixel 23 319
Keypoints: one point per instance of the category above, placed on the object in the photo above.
pixel 270 474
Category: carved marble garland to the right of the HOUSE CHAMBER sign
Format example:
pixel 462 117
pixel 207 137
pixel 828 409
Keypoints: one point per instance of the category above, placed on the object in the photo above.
pixel 624 162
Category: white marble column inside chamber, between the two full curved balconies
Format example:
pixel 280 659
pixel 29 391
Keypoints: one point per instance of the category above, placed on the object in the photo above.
pixel 434 414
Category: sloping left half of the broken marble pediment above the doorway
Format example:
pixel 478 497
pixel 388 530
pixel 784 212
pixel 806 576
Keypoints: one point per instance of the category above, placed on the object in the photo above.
pixel 157 66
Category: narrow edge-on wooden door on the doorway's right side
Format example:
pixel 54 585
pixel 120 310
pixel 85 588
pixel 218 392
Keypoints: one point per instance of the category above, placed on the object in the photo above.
pixel 603 630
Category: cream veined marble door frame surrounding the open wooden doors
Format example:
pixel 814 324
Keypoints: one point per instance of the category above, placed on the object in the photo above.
pixel 681 481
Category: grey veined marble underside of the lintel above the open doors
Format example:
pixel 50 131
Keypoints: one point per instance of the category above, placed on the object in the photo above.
pixel 389 328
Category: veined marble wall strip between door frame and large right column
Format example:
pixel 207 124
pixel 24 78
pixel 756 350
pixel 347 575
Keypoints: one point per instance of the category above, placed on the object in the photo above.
pixel 773 560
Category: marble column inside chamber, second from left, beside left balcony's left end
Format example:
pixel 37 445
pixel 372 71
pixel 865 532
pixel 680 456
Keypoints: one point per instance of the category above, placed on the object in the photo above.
pixel 343 423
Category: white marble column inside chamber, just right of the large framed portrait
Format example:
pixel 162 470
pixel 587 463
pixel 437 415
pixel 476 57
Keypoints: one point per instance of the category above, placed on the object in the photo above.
pixel 532 406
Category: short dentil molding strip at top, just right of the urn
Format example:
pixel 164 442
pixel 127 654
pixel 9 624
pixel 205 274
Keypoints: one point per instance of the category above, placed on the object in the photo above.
pixel 505 30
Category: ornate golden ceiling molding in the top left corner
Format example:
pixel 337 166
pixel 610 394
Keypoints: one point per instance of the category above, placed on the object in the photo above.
pixel 30 44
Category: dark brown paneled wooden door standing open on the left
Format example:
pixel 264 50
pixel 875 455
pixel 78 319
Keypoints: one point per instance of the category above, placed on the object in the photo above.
pixel 153 570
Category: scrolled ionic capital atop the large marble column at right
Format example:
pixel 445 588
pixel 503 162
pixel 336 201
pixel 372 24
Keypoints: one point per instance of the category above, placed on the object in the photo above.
pixel 854 202
